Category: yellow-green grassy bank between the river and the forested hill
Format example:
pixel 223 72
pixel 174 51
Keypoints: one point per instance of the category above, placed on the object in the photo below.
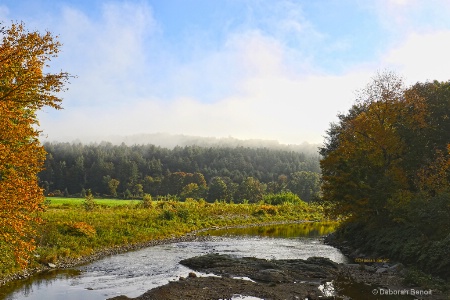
pixel 69 231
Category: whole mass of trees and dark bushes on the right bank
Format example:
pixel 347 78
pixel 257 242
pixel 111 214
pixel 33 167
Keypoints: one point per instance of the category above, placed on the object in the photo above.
pixel 386 172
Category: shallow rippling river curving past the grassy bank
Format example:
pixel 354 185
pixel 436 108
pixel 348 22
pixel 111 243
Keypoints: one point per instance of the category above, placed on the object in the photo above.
pixel 133 273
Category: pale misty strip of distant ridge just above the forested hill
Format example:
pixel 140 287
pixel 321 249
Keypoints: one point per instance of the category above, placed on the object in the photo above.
pixel 170 141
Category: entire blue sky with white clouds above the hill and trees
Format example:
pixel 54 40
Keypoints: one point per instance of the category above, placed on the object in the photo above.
pixel 248 69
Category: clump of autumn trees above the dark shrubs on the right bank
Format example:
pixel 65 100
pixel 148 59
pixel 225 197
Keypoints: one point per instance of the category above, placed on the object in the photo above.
pixel 388 150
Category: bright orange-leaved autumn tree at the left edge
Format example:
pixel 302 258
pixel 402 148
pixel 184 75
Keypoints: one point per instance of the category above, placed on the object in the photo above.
pixel 24 89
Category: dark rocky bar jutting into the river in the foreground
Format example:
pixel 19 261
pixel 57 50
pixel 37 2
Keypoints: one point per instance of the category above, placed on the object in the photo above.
pixel 266 279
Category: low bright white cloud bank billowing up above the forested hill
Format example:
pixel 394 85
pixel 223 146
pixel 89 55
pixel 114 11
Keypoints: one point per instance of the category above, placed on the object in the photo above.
pixel 268 99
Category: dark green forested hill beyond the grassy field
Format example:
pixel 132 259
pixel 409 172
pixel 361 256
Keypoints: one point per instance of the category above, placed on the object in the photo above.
pixel 117 170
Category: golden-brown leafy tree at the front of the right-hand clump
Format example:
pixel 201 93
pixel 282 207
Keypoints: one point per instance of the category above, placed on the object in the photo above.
pixel 363 164
